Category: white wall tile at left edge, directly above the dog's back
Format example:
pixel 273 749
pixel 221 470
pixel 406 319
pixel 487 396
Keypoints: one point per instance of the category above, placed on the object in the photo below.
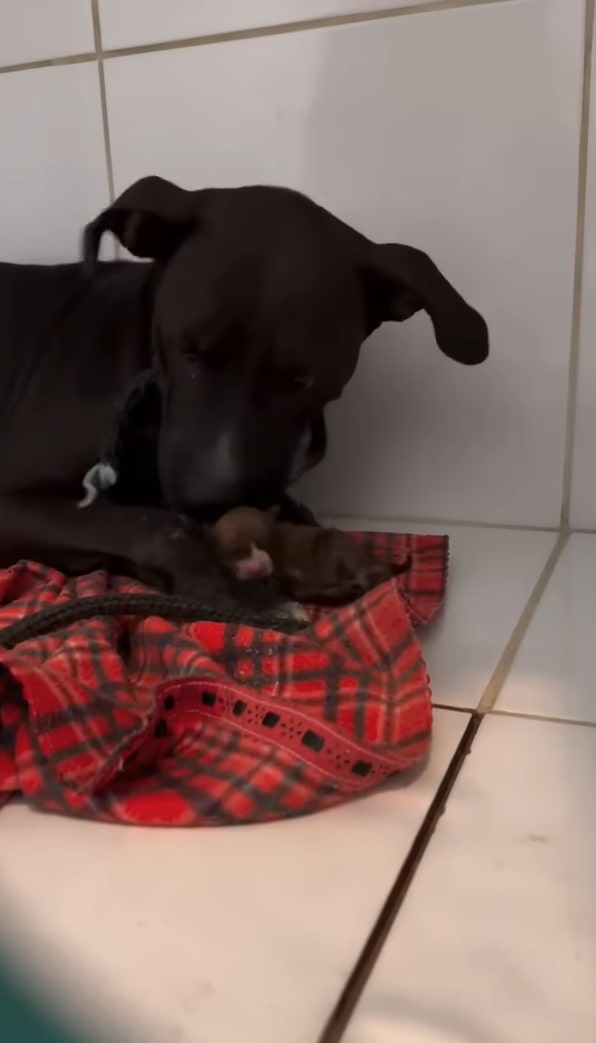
pixel 53 167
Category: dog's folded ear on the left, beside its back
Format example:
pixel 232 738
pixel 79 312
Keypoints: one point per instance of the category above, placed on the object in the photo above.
pixel 151 220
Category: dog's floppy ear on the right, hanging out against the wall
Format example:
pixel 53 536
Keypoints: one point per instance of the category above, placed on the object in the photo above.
pixel 402 281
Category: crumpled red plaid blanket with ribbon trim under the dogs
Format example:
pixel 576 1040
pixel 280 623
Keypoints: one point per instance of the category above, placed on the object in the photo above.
pixel 154 723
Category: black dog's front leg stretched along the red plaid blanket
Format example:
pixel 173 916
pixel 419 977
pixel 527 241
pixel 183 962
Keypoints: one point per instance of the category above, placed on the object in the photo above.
pixel 158 547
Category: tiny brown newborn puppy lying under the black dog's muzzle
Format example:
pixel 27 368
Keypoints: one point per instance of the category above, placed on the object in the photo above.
pixel 308 563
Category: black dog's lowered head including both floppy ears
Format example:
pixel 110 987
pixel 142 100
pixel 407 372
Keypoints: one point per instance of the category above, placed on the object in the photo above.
pixel 263 301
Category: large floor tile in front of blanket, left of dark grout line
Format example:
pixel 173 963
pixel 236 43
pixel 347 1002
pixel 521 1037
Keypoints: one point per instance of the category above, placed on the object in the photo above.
pixel 211 934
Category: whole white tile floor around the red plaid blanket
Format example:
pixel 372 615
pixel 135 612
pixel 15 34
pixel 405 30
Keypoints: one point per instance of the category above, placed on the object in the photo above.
pixel 252 933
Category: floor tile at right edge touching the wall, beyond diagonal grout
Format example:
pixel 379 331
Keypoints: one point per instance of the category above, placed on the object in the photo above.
pixel 554 672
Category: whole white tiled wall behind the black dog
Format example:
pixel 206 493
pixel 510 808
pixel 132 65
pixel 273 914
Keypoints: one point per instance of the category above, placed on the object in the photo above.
pixel 456 131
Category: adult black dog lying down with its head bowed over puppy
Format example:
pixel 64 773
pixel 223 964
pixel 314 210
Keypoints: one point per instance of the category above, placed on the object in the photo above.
pixel 249 320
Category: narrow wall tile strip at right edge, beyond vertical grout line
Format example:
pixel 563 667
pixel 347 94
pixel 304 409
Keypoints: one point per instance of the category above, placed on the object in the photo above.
pixel 584 483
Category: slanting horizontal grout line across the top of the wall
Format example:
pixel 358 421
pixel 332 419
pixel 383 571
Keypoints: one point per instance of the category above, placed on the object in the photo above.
pixel 231 36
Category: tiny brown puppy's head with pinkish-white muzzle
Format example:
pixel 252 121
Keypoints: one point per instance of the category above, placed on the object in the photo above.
pixel 243 538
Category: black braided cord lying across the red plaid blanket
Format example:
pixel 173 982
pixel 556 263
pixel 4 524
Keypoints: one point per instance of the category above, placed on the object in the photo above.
pixel 166 607
